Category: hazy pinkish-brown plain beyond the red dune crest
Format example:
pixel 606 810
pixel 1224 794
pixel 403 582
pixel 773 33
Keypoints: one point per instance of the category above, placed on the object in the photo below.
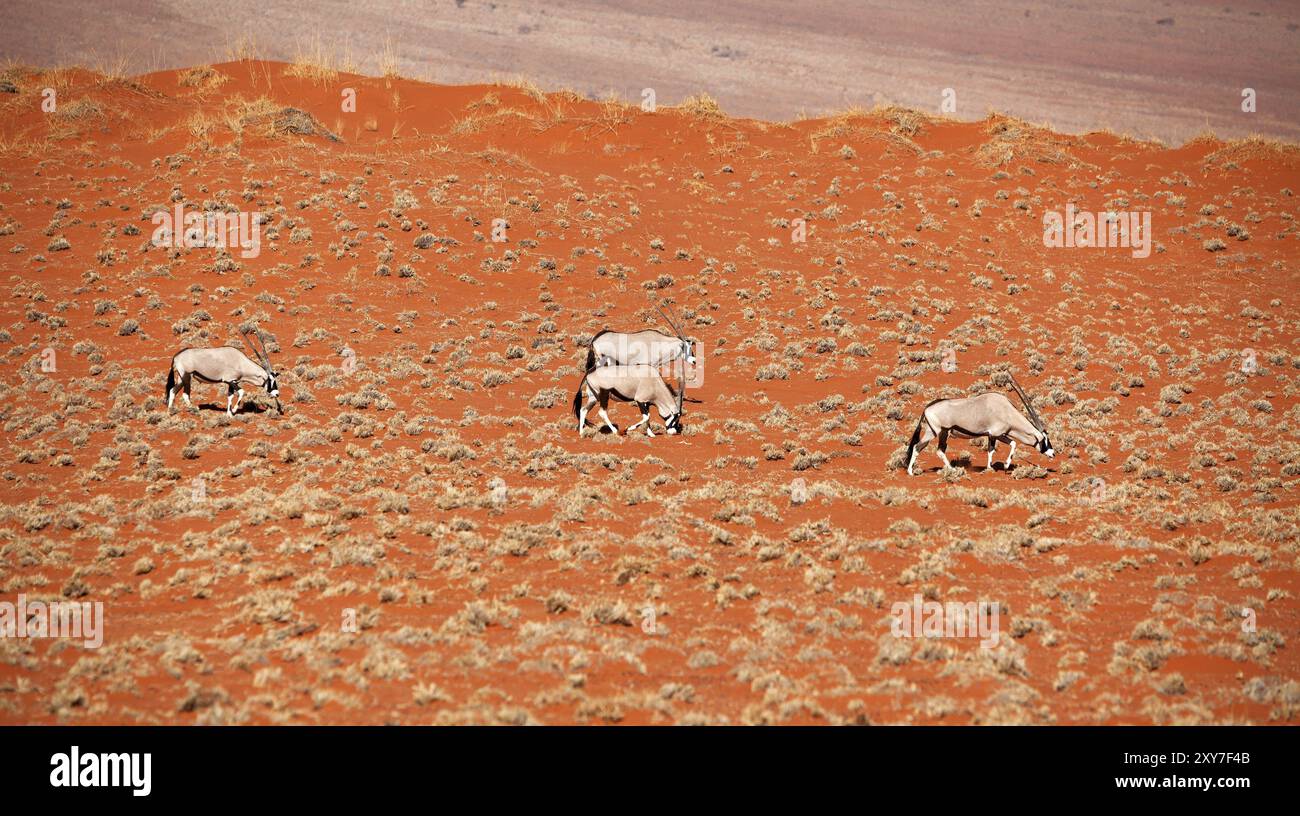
pixel 1168 70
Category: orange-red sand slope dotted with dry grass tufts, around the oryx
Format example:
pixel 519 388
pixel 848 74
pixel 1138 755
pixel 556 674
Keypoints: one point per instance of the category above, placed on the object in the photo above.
pixel 1123 567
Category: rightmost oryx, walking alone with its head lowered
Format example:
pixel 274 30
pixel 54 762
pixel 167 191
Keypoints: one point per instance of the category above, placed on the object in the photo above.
pixel 989 415
